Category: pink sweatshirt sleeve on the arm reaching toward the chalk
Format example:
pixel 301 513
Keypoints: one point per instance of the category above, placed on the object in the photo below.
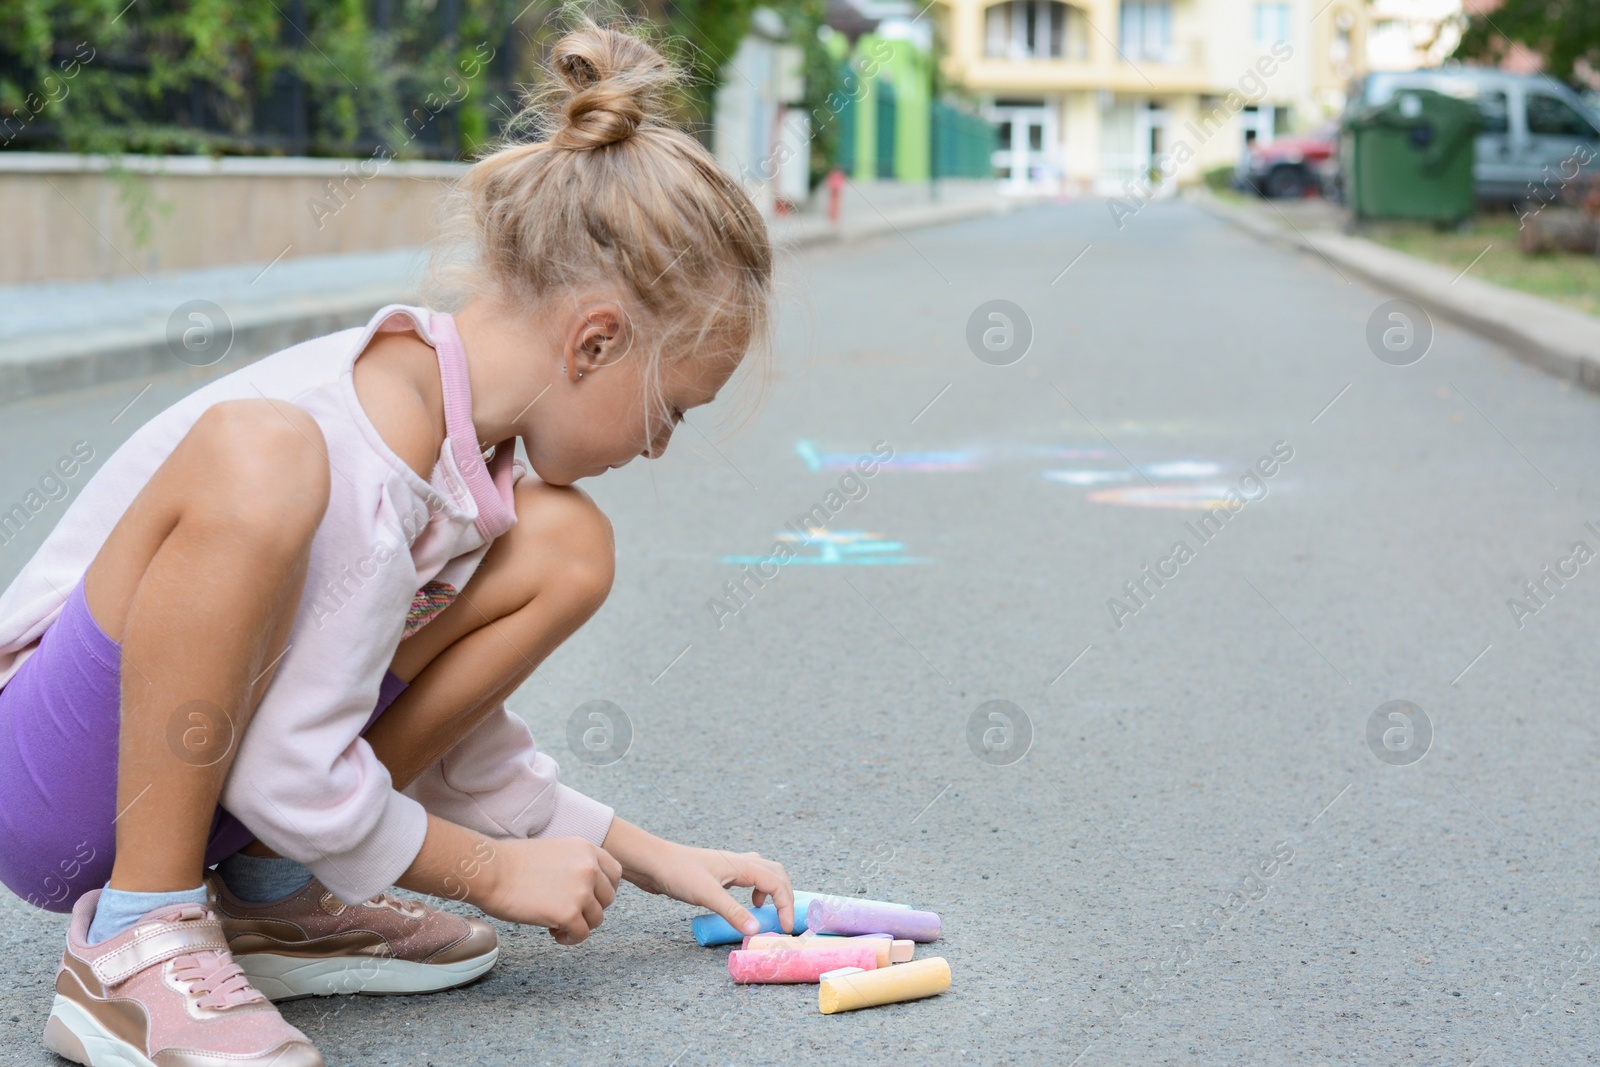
pixel 498 783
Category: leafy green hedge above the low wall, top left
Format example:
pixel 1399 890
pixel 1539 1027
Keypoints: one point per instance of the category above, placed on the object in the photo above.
pixel 422 79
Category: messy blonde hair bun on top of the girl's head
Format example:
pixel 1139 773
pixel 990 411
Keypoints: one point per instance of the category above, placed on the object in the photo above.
pixel 615 84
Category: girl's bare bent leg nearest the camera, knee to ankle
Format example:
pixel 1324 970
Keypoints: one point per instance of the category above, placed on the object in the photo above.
pixel 201 581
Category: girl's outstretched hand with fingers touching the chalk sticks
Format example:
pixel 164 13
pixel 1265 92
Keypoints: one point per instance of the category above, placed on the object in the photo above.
pixel 702 876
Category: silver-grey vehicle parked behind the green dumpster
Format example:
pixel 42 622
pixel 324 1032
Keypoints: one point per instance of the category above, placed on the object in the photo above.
pixel 1537 134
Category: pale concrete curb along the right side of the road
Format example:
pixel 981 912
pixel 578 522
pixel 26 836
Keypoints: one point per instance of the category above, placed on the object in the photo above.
pixel 1546 335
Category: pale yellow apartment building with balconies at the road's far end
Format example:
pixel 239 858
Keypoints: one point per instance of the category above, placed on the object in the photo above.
pixel 1114 95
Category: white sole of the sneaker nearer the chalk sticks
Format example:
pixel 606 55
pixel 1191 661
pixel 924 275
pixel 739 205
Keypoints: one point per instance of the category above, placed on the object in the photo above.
pixel 290 978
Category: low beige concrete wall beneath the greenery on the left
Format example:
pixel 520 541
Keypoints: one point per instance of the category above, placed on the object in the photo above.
pixel 71 218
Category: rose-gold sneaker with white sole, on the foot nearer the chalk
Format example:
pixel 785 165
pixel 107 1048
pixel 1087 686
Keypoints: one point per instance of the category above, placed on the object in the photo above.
pixel 311 945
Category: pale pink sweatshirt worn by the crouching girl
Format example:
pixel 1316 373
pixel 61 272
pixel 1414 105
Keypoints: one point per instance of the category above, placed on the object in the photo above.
pixel 391 554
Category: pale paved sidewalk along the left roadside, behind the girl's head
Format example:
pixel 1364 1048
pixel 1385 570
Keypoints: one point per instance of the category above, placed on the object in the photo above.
pixel 62 337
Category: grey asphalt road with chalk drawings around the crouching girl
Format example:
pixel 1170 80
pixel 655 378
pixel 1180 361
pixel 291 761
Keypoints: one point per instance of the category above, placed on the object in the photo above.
pixel 1201 858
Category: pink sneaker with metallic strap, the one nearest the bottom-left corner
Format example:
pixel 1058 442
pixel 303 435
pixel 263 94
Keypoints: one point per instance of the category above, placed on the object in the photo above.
pixel 166 993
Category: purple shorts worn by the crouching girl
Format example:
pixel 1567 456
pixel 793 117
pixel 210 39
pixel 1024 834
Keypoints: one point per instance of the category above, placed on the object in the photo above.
pixel 60 716
